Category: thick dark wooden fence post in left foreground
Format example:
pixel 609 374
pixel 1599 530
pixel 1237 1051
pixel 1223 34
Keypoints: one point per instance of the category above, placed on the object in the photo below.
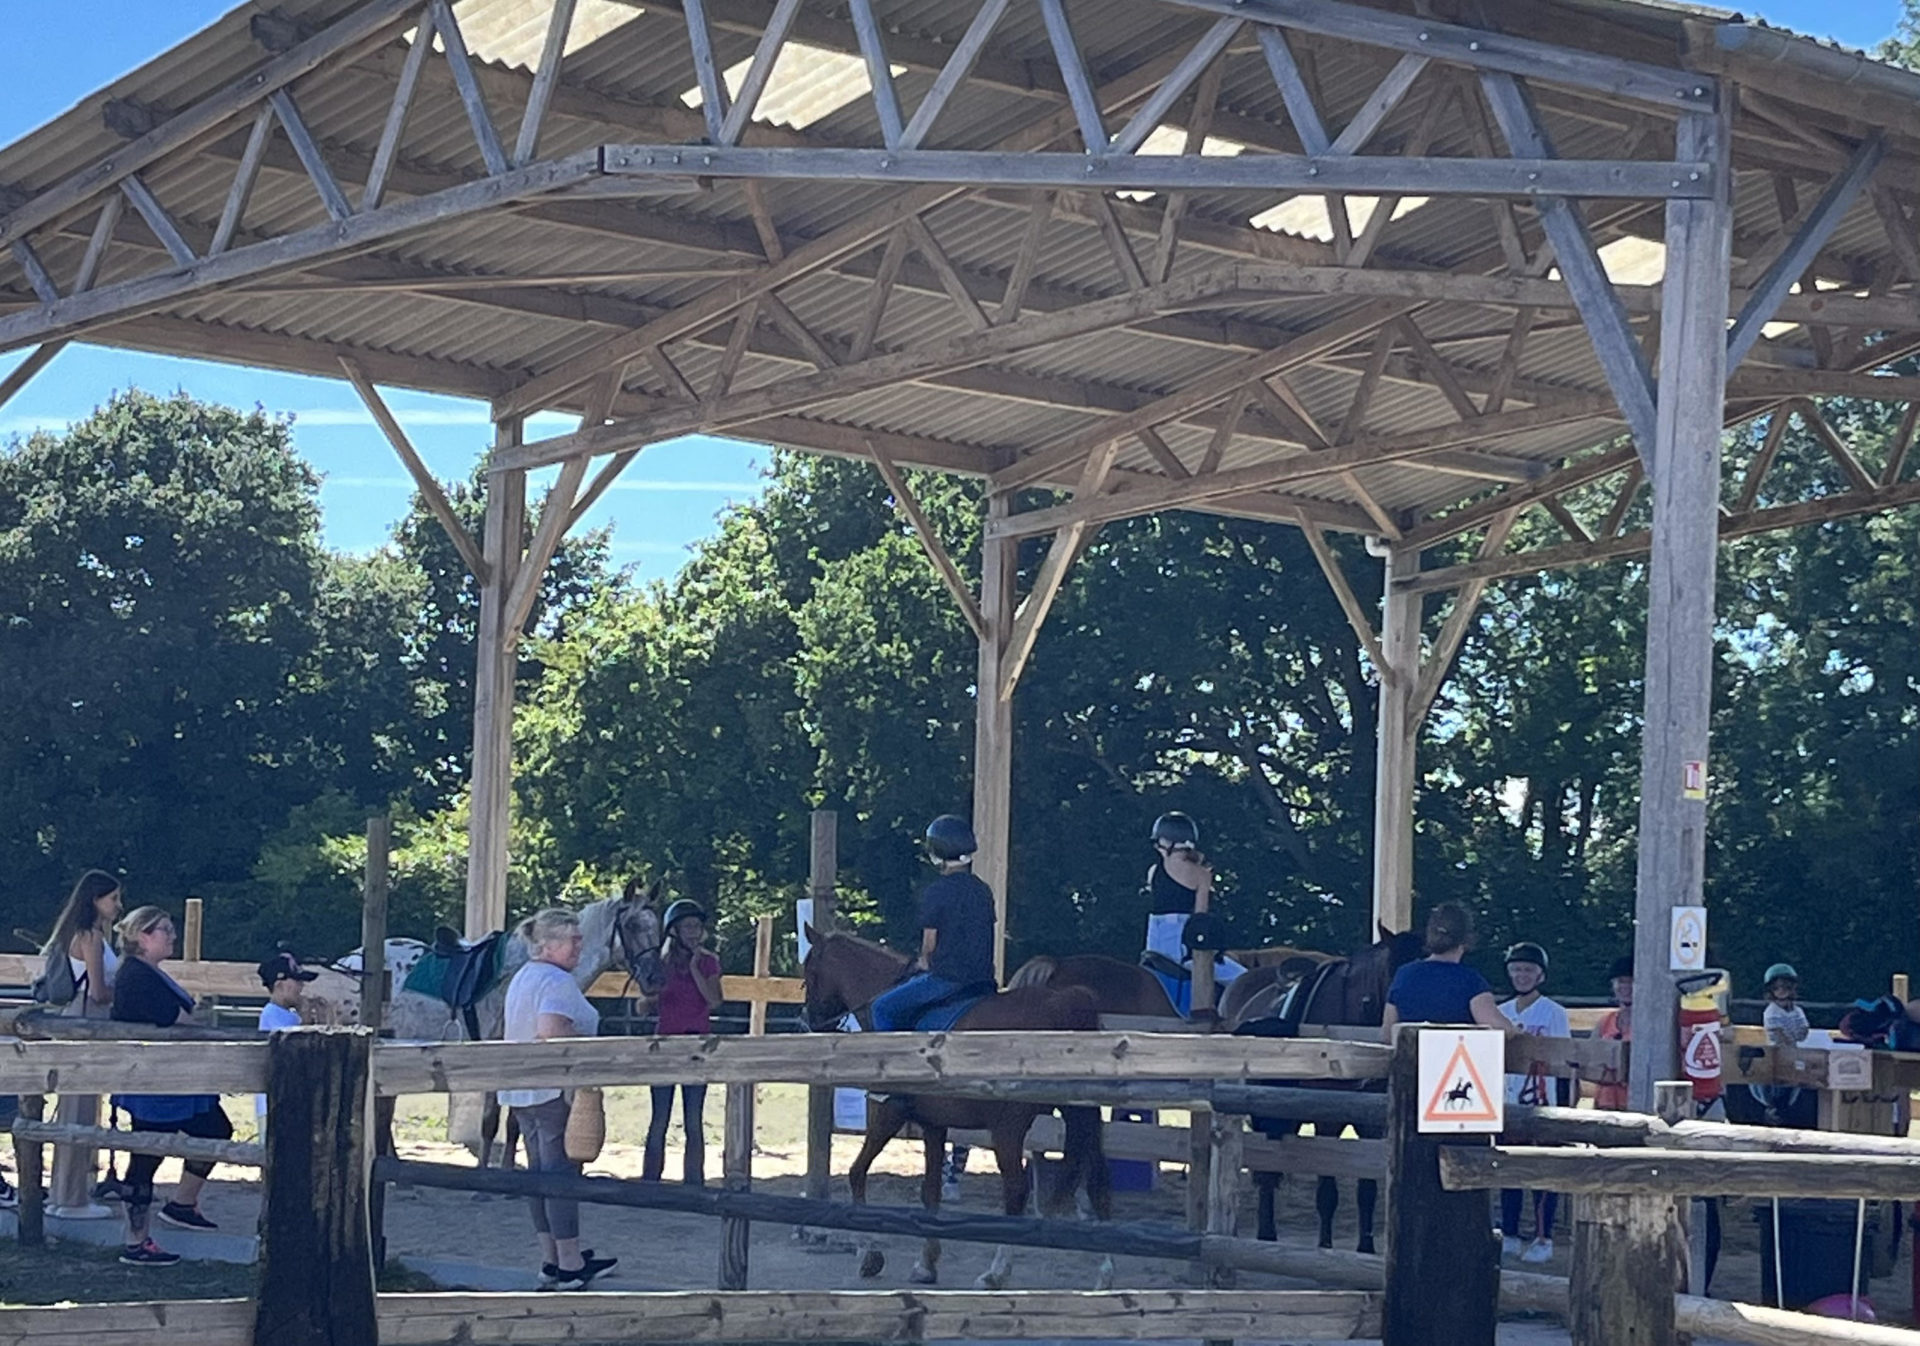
pixel 316 1255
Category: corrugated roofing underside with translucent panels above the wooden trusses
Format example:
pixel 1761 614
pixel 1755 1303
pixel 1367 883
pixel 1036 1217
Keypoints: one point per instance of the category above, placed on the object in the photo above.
pixel 608 266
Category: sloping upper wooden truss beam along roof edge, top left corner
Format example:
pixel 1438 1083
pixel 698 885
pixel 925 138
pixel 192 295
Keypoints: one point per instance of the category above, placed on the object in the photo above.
pixel 366 24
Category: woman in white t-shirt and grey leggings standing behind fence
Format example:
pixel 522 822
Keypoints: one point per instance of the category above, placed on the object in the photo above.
pixel 544 1003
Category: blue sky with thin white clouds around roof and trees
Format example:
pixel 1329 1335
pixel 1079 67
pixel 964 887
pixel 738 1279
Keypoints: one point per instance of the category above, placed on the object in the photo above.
pixel 62 51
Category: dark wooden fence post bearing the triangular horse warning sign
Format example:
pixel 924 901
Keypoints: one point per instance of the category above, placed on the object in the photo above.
pixel 1443 1253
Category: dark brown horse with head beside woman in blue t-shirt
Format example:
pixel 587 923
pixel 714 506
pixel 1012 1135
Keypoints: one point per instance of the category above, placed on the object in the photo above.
pixel 1343 994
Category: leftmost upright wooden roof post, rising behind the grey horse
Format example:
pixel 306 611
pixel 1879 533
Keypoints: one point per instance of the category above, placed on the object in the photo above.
pixel 491 809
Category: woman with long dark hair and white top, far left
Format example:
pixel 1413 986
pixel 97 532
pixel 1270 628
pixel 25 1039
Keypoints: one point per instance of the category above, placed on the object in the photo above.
pixel 84 936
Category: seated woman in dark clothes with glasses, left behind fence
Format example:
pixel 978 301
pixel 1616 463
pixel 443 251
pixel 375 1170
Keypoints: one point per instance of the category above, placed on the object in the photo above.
pixel 143 994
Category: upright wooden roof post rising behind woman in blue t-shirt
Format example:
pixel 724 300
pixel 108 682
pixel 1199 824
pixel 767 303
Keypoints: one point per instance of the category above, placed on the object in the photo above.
pixel 1395 748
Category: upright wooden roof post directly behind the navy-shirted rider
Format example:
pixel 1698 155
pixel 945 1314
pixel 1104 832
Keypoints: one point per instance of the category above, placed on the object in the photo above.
pixel 994 725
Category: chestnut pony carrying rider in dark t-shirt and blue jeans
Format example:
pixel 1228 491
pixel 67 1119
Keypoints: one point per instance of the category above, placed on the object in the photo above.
pixel 844 974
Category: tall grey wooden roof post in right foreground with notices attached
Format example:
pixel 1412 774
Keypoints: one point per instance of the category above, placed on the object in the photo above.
pixel 1687 512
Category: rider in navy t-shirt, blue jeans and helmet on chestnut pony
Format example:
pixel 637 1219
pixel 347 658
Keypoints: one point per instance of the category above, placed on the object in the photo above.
pixel 955 932
